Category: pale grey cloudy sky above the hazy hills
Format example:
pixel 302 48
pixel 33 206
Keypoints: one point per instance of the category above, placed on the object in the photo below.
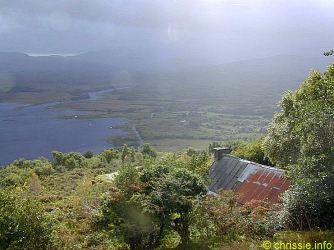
pixel 220 29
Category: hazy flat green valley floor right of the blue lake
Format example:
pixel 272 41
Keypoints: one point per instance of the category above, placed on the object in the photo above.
pixel 171 122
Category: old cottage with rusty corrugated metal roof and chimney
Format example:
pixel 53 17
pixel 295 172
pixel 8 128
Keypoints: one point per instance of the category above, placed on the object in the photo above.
pixel 250 180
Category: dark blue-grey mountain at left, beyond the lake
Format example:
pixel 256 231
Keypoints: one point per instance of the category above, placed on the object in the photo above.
pixel 89 70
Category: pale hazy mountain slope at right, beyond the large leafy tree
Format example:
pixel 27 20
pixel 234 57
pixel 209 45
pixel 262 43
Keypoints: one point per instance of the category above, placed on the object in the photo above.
pixel 276 73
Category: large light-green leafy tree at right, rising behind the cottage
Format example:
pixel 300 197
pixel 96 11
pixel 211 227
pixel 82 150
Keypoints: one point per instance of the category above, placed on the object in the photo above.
pixel 304 127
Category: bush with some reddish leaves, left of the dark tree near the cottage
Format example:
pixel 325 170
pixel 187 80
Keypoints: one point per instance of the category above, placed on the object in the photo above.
pixel 124 215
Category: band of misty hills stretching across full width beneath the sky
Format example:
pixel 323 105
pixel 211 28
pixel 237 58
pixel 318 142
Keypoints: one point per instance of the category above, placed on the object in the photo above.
pixel 20 72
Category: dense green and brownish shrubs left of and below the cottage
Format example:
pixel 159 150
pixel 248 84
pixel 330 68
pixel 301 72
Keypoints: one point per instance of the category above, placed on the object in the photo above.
pixel 120 199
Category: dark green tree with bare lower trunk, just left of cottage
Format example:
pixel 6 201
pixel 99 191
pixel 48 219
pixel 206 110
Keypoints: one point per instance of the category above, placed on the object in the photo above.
pixel 169 194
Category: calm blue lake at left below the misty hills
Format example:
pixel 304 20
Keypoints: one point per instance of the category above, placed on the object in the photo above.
pixel 31 131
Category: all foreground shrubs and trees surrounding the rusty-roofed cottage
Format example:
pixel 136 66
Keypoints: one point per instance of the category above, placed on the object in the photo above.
pixel 130 198
